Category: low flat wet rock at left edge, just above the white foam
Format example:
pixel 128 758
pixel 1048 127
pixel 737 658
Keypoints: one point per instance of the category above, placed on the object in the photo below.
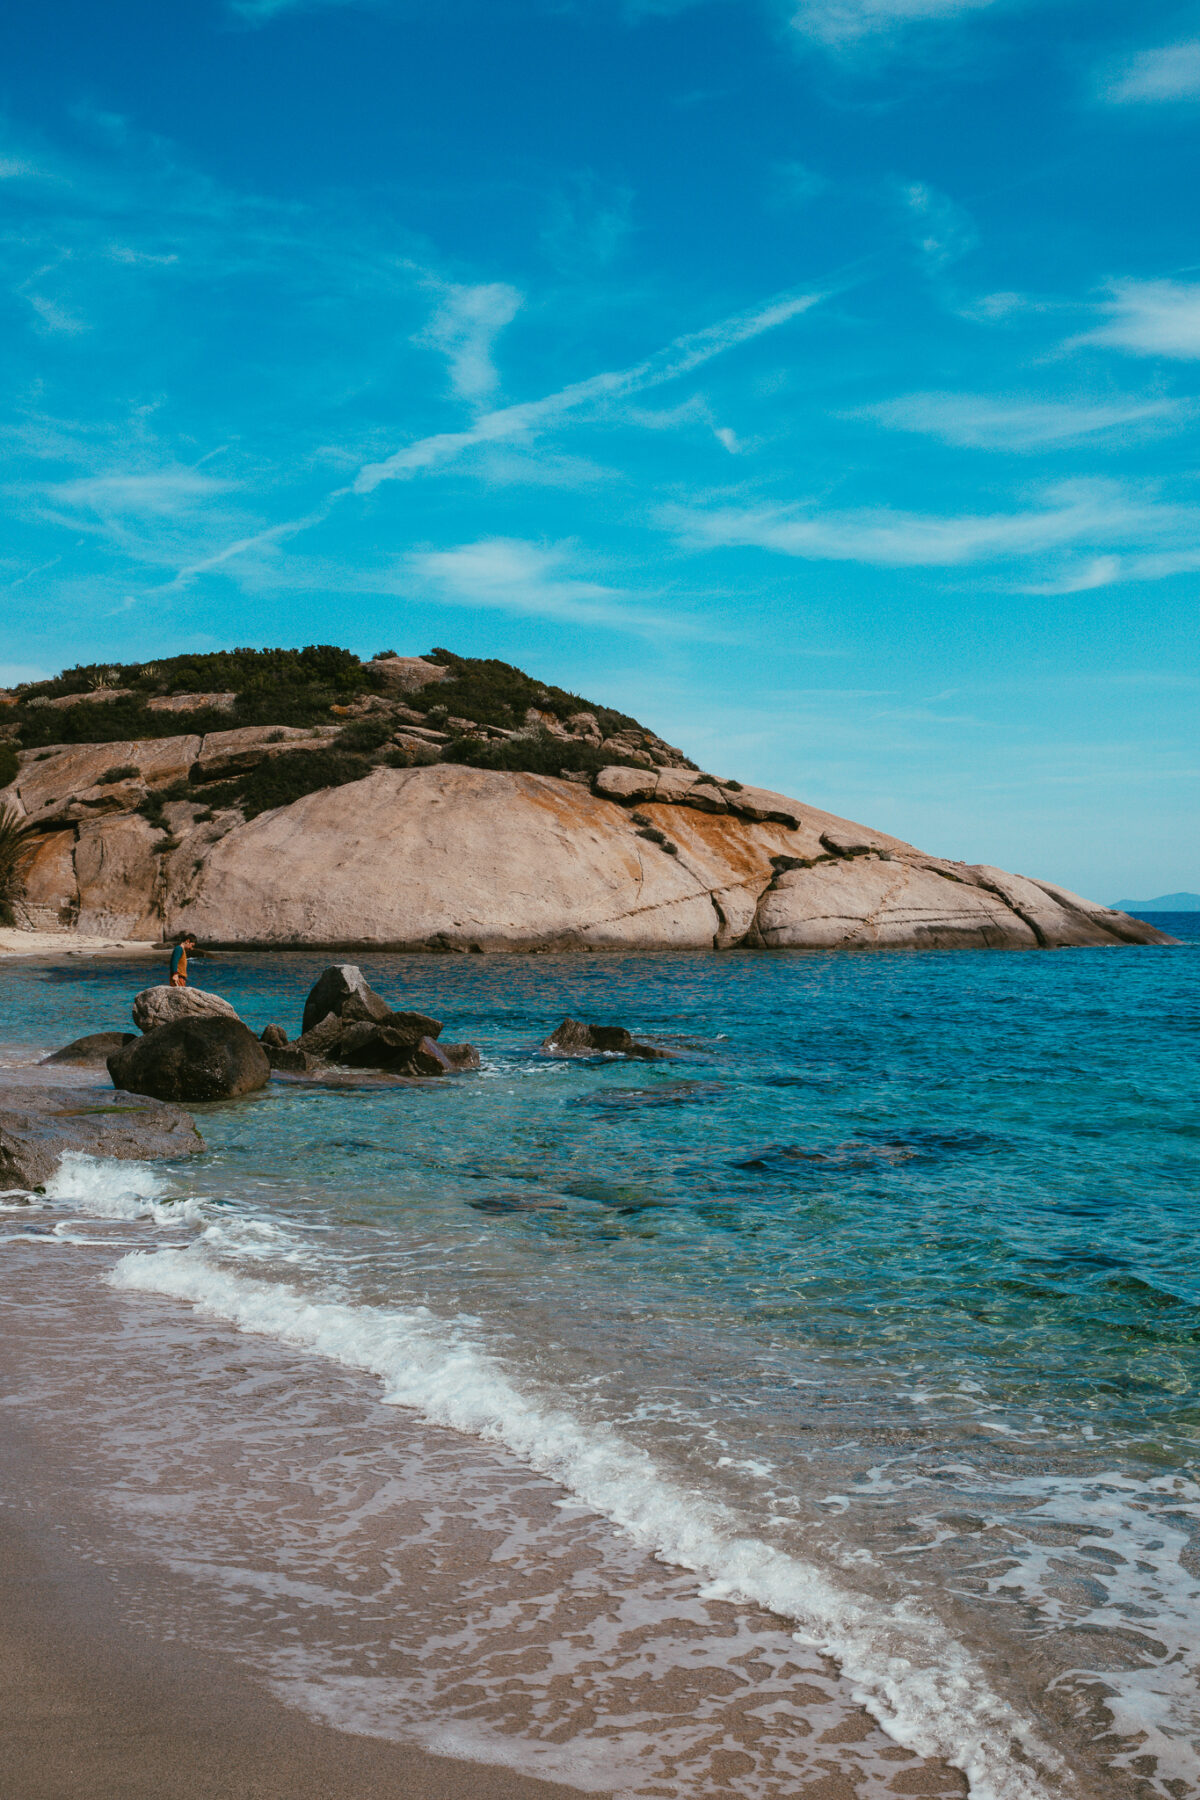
pixel 39 1126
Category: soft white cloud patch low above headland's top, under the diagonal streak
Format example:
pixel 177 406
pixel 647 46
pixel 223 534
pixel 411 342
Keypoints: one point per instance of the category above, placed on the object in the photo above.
pixel 514 575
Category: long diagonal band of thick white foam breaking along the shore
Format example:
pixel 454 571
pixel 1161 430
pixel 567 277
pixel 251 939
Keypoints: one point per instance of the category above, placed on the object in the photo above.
pixel 904 1666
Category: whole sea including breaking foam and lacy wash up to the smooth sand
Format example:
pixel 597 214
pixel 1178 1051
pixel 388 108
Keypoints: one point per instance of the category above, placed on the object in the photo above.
pixel 845 1367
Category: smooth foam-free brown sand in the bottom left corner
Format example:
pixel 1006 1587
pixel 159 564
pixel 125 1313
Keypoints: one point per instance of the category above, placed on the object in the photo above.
pixel 94 1713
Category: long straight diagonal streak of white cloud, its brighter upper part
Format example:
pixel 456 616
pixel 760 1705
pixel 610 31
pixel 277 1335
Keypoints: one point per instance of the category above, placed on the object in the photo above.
pixel 668 364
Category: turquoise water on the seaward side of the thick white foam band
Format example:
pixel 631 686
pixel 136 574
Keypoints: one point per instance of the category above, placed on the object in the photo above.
pixel 895 1266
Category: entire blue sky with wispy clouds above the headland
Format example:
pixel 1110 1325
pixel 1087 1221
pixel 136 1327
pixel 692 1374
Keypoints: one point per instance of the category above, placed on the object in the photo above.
pixel 816 381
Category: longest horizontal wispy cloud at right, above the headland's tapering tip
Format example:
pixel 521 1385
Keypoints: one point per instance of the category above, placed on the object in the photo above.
pixel 1073 514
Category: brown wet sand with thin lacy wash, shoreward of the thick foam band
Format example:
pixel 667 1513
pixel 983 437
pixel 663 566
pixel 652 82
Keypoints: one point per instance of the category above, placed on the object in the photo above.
pixel 231 1570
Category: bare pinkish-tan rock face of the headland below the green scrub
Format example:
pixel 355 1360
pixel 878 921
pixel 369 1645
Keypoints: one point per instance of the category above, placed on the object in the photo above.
pixel 449 858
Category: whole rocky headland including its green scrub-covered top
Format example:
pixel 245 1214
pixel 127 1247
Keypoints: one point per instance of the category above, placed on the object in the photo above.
pixel 443 804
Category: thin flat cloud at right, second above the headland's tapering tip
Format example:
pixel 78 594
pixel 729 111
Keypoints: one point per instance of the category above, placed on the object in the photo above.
pixel 987 422
